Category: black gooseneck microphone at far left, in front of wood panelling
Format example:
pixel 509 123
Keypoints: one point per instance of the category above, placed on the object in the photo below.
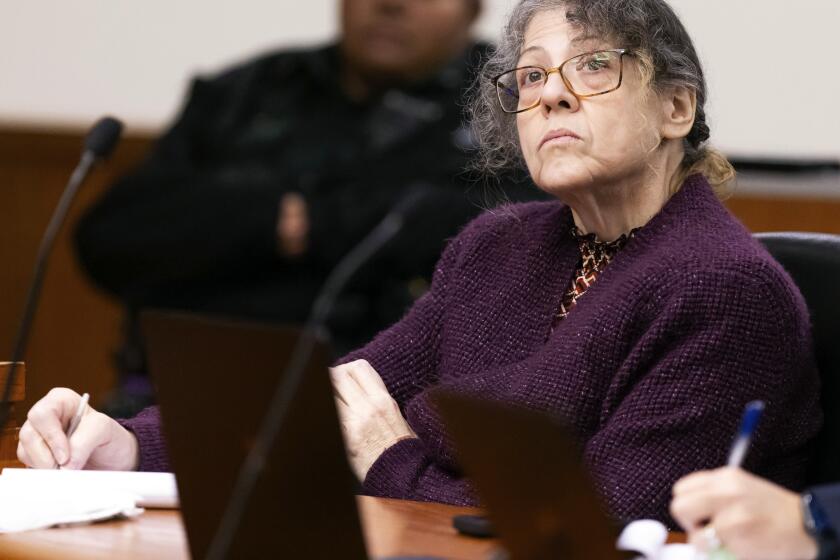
pixel 99 144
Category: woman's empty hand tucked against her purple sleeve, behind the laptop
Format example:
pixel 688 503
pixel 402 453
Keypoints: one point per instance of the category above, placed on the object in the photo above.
pixel 370 418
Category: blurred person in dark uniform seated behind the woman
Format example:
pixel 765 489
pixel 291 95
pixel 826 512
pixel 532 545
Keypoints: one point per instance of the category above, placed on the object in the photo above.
pixel 278 166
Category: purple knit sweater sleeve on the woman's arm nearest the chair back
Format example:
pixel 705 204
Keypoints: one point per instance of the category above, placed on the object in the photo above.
pixel 674 405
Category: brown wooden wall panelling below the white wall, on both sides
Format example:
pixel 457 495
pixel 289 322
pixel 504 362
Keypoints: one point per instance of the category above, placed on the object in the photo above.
pixel 76 329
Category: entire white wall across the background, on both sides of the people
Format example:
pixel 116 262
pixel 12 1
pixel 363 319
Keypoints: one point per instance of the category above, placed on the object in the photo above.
pixel 773 65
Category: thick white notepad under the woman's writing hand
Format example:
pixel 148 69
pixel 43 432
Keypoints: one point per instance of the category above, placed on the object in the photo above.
pixel 152 490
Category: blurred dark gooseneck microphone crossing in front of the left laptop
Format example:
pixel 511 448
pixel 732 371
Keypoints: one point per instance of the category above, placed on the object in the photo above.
pixel 286 389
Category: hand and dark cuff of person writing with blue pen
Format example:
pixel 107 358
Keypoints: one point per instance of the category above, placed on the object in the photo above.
pixel 755 519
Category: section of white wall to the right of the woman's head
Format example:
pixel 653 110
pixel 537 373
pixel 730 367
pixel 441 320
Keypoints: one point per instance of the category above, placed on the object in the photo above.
pixel 774 73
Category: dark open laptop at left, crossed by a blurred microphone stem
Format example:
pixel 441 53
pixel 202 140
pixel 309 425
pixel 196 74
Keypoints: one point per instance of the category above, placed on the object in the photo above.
pixel 214 381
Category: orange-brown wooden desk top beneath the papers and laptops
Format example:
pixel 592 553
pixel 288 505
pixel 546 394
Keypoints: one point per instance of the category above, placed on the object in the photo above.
pixel 392 528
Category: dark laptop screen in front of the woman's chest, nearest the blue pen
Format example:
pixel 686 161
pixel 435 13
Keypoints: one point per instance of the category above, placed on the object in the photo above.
pixel 526 468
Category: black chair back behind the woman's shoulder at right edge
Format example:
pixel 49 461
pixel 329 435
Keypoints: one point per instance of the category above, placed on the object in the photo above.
pixel 813 260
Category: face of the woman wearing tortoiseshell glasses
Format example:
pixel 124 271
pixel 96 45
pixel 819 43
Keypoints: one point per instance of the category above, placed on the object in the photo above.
pixel 605 139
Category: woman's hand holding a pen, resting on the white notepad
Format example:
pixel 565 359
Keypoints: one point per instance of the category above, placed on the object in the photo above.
pixel 99 442
